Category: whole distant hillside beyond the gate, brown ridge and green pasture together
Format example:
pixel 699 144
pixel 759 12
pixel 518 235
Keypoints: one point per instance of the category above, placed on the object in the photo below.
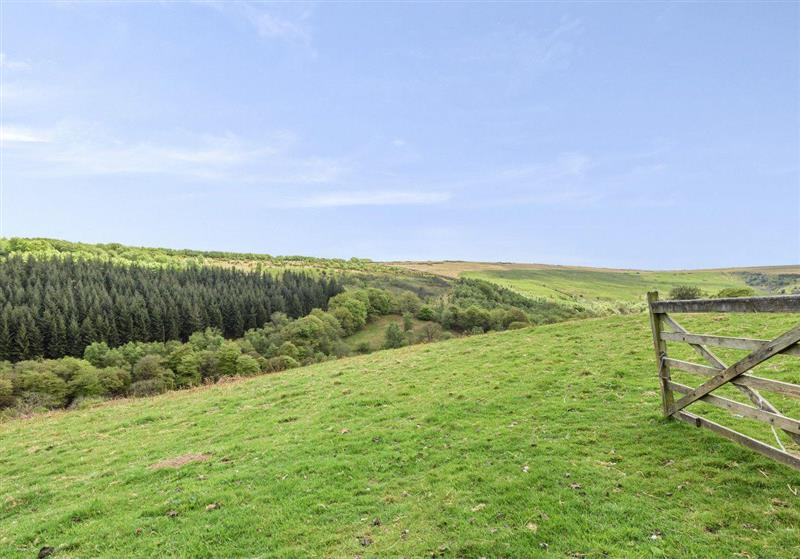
pixel 602 285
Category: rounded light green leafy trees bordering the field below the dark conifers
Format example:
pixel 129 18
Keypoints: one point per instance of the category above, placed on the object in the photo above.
pixel 141 368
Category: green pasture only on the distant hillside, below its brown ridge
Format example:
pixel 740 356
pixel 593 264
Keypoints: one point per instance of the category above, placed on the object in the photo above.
pixel 603 285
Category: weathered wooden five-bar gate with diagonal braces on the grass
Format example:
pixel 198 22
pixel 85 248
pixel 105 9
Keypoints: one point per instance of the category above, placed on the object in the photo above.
pixel 667 329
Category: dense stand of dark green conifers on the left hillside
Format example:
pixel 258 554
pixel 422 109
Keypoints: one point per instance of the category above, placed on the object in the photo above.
pixel 56 307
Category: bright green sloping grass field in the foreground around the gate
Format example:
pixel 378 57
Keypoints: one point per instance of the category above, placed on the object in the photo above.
pixel 538 442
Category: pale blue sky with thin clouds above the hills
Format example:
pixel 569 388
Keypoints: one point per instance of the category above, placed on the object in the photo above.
pixel 632 135
